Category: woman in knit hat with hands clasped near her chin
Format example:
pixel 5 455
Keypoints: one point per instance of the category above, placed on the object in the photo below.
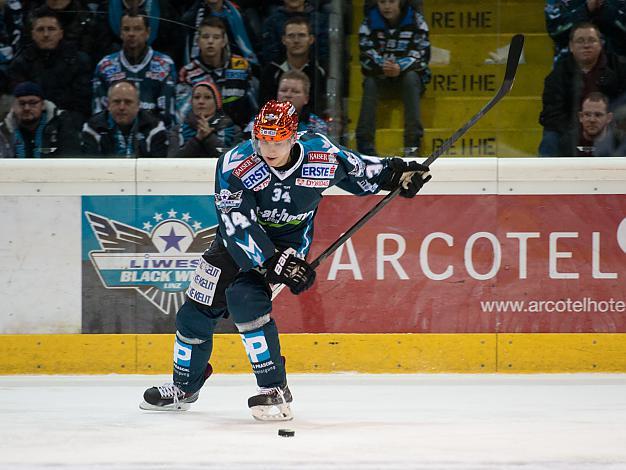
pixel 206 130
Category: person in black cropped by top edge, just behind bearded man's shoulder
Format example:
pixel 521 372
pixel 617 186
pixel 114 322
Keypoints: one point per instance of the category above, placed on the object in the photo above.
pixel 83 28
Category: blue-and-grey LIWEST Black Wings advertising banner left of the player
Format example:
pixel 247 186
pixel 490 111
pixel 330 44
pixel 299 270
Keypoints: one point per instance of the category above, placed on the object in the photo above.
pixel 138 253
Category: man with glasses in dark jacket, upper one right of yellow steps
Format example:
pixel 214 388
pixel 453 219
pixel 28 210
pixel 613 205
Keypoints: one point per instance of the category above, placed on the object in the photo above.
pixel 585 69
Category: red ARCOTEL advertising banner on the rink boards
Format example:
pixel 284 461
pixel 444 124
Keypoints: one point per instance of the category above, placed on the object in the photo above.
pixel 468 264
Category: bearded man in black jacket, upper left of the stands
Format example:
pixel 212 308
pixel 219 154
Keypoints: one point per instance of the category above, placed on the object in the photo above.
pixel 63 72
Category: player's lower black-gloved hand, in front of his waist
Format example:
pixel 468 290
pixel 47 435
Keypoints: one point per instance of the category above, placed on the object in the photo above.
pixel 286 268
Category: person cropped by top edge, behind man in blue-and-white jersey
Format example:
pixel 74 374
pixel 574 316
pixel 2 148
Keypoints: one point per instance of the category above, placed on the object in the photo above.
pixel 165 36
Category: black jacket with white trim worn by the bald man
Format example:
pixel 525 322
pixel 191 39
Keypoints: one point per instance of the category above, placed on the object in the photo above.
pixel 150 136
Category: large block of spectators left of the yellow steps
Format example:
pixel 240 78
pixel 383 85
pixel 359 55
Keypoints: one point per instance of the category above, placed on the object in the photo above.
pixel 153 78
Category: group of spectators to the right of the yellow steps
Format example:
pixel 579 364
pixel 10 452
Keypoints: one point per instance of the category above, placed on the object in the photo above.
pixel 583 100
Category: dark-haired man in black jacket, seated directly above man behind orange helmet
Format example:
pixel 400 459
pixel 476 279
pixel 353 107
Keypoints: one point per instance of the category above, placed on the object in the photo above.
pixel 298 40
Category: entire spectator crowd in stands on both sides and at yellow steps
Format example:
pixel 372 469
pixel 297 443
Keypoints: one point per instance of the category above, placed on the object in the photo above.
pixel 158 78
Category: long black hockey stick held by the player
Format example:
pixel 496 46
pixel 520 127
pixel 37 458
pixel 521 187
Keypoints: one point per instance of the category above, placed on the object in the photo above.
pixel 515 52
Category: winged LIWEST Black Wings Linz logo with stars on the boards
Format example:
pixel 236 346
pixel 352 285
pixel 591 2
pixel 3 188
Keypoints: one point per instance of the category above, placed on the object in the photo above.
pixel 158 263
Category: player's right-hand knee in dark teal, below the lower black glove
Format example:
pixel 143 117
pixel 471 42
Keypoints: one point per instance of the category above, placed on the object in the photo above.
pixel 249 302
